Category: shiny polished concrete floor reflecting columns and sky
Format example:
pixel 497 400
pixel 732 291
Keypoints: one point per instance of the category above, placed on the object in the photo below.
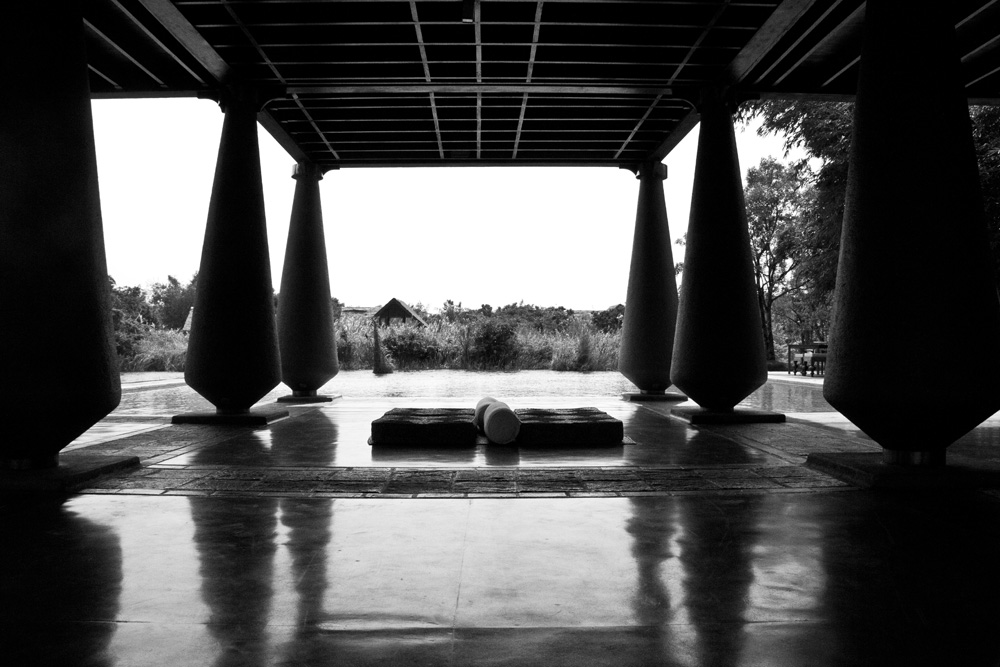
pixel 299 544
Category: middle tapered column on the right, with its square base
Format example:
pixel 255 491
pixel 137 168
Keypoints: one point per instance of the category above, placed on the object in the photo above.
pixel 719 356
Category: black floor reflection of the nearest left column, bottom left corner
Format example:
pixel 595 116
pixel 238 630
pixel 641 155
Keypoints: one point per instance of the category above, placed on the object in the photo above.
pixel 61 579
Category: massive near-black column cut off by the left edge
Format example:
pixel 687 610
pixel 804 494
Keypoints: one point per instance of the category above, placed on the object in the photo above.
pixel 57 354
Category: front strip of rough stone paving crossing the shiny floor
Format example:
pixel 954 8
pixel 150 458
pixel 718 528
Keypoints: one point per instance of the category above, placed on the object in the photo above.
pixel 459 483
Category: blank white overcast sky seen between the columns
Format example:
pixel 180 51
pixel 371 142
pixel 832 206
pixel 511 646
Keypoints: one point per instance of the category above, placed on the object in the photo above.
pixel 547 236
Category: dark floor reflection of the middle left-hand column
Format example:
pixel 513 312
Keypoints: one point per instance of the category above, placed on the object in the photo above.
pixel 236 546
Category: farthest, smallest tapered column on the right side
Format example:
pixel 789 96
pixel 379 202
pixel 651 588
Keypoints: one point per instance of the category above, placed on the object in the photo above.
pixel 651 302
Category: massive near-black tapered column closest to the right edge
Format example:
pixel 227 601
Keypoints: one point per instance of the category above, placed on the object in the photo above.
pixel 916 316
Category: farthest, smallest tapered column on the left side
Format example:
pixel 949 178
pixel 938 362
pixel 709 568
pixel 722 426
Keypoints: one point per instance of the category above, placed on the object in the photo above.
pixel 306 335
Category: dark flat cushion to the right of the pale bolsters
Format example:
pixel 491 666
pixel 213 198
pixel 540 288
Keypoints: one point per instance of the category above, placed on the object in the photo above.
pixel 568 426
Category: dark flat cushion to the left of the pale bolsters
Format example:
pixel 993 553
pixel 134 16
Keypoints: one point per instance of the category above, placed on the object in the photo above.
pixel 425 427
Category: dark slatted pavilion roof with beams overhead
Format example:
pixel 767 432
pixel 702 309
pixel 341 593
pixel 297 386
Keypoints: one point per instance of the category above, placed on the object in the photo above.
pixel 495 82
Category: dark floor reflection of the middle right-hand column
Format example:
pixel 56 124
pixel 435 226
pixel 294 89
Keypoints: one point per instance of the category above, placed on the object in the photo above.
pixel 716 551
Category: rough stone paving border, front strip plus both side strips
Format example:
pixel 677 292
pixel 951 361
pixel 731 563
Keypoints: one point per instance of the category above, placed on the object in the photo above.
pixel 790 443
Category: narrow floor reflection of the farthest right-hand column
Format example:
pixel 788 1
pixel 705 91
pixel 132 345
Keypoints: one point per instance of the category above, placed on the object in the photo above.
pixel 652 527
